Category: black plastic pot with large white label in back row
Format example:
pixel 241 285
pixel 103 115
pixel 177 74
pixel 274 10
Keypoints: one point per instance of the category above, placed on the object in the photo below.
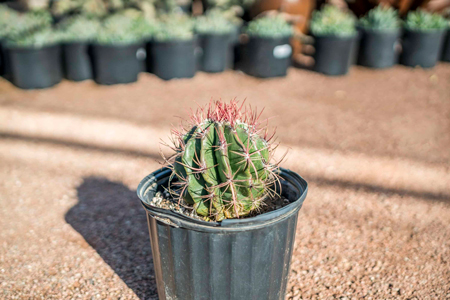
pixel 266 57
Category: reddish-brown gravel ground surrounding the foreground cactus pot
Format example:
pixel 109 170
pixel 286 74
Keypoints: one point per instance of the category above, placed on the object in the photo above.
pixel 72 227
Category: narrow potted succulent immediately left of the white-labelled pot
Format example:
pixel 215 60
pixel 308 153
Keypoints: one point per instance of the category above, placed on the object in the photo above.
pixel 215 34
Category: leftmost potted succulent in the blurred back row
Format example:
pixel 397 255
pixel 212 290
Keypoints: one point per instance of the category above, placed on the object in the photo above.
pixel 35 59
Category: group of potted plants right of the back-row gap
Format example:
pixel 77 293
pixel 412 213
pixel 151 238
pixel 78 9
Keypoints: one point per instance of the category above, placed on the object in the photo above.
pixel 341 40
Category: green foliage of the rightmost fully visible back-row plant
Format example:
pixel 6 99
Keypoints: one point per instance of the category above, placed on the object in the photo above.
pixel 421 20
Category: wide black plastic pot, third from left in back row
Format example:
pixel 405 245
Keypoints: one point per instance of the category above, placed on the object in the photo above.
pixel 116 64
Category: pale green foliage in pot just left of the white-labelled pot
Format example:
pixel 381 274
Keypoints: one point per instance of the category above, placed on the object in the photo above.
pixel 214 23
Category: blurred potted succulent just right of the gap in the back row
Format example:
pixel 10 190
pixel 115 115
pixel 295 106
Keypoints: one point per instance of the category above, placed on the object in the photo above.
pixel 335 37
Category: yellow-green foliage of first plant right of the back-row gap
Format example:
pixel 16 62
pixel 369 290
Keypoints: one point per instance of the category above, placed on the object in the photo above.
pixel 330 20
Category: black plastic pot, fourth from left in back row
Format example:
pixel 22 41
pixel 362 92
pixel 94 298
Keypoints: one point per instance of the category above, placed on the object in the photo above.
pixel 173 59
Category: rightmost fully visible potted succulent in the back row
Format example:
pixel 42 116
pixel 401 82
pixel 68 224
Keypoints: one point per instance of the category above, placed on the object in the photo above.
pixel 423 39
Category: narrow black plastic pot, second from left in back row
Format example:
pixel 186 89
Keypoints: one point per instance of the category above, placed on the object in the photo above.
pixel 77 61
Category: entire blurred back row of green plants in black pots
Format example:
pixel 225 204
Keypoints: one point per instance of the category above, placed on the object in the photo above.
pixel 120 46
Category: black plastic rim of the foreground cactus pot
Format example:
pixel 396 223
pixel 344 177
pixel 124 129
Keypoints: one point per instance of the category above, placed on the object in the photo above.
pixel 148 186
